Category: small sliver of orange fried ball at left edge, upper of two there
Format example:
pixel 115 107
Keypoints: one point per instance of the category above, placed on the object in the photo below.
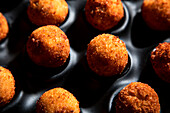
pixel 4 29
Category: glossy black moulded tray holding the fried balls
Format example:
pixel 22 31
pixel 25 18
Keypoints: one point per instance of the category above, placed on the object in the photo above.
pixel 95 94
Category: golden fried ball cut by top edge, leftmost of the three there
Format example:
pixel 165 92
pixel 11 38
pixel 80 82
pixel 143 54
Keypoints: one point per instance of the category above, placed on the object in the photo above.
pixel 47 12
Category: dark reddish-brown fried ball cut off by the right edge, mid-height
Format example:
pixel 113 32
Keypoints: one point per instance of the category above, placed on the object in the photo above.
pixel 160 59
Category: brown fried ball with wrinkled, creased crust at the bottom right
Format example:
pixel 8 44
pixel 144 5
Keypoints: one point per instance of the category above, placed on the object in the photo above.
pixel 137 97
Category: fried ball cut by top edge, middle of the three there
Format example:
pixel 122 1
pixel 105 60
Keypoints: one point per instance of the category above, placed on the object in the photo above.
pixel 104 14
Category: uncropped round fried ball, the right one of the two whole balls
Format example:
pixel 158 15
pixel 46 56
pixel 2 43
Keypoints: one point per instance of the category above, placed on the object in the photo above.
pixel 107 55
